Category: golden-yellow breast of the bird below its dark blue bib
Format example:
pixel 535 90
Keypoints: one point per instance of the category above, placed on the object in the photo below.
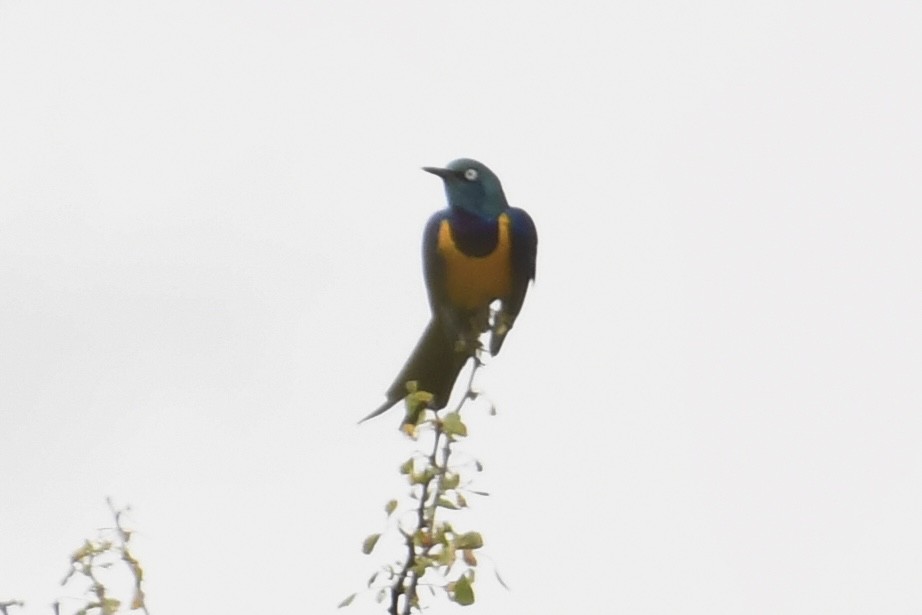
pixel 473 282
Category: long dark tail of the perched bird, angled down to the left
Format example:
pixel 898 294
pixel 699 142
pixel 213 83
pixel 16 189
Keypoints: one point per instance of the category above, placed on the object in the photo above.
pixel 434 364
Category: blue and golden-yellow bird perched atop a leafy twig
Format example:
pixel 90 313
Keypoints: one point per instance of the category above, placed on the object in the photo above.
pixel 475 251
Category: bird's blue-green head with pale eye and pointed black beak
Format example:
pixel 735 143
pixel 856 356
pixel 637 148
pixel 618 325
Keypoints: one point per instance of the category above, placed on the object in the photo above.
pixel 471 186
